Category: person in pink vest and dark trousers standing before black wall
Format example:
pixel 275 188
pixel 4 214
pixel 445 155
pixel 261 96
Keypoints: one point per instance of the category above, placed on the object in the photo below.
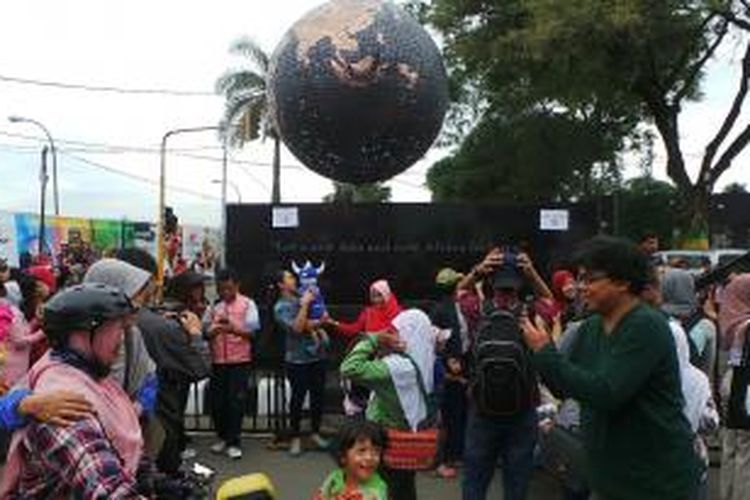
pixel 232 324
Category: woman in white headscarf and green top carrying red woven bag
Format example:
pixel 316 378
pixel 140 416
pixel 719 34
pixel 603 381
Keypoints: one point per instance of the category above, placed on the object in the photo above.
pixel 398 368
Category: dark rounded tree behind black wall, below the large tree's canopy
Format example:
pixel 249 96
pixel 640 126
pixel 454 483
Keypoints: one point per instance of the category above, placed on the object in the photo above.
pixel 535 156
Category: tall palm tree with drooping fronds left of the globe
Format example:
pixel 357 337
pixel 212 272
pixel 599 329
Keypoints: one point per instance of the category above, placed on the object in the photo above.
pixel 246 108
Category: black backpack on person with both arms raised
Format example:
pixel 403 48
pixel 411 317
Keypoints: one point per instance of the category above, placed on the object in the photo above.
pixel 504 380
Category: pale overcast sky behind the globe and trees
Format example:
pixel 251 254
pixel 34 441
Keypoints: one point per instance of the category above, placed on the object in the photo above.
pixel 182 46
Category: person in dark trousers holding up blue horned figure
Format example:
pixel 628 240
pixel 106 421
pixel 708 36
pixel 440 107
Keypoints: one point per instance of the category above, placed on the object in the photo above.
pixel 304 357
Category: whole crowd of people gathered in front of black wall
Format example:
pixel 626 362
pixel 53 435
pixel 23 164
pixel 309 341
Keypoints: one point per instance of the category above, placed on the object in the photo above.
pixel 612 375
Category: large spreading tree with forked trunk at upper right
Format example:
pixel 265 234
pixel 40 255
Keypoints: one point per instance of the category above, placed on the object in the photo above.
pixel 630 59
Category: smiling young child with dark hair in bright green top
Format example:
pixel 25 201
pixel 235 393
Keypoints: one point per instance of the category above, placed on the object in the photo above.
pixel 359 451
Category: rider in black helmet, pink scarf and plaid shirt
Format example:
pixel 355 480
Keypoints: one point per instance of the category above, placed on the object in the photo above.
pixel 98 456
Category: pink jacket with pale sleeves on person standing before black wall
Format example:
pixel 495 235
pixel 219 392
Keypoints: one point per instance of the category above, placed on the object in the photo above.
pixel 242 314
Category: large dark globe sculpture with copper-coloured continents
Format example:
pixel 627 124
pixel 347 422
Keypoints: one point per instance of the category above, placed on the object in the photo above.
pixel 357 90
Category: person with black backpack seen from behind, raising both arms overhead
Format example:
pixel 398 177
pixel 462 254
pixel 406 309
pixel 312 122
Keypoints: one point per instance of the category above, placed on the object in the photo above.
pixel 502 419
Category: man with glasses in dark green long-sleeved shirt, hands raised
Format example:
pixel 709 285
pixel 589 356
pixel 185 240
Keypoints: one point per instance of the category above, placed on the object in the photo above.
pixel 623 370
